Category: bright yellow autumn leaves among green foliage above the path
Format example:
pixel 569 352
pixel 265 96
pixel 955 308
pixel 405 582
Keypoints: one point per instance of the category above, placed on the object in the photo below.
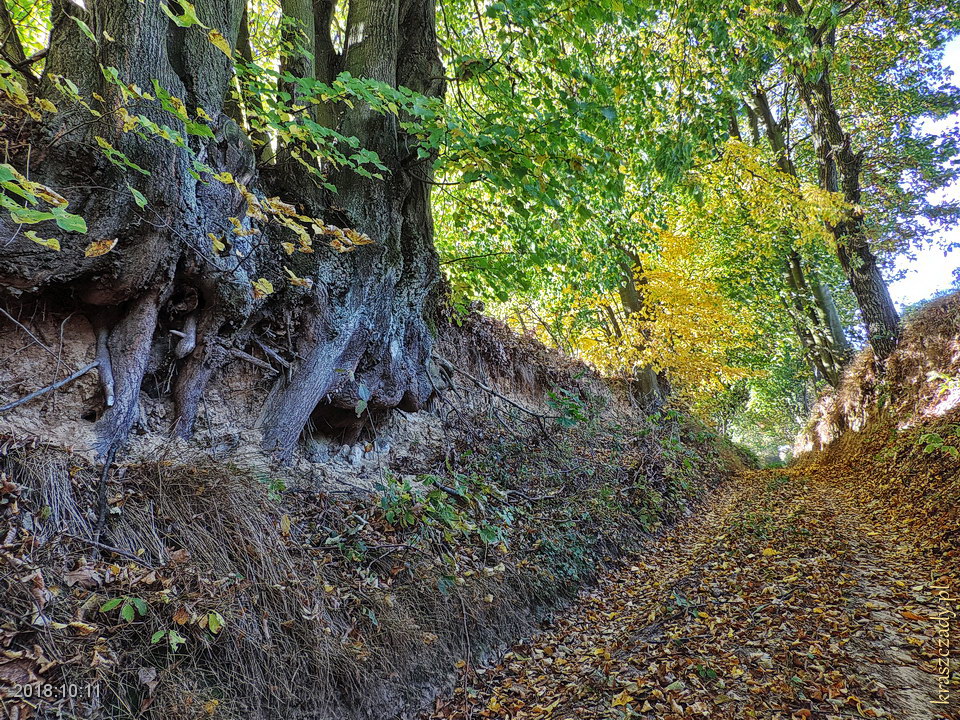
pixel 703 307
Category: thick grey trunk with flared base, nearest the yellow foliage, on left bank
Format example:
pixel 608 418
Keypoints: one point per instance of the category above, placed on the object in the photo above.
pixel 365 343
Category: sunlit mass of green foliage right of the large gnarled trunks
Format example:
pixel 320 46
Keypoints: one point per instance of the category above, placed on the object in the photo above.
pixel 581 165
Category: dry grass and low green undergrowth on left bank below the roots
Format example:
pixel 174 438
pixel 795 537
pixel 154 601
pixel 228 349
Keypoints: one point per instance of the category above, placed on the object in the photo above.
pixel 220 588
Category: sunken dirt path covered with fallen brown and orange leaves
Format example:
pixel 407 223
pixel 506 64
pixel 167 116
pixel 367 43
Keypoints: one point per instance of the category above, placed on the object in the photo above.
pixel 778 600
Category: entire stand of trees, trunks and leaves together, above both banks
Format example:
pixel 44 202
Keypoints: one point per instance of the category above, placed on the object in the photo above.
pixel 703 197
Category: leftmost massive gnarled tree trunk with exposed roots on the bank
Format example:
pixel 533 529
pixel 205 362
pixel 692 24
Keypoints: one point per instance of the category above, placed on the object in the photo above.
pixel 163 251
